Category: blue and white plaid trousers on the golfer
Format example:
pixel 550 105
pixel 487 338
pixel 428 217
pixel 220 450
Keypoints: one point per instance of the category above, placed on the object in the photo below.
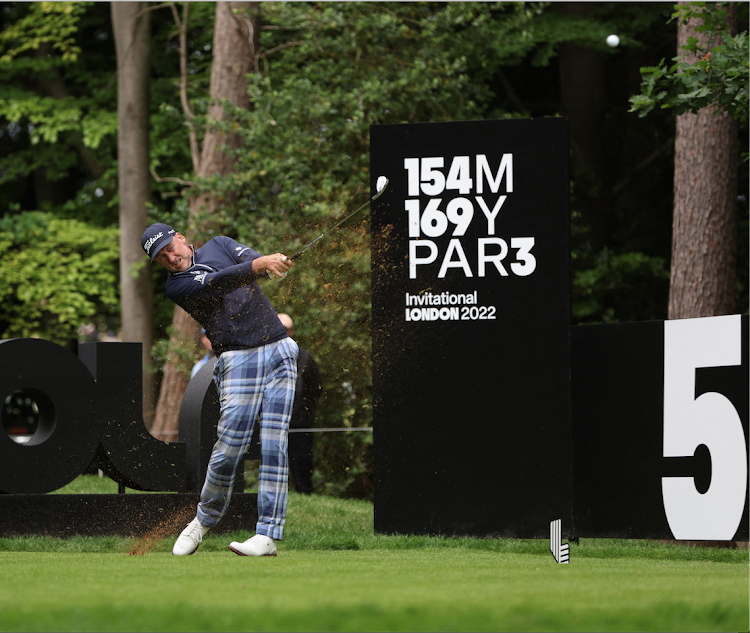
pixel 253 384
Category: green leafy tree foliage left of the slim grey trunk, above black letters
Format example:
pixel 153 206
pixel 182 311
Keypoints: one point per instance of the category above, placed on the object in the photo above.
pixel 57 129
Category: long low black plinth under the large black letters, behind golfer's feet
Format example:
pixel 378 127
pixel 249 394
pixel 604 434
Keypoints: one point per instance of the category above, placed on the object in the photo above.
pixel 134 515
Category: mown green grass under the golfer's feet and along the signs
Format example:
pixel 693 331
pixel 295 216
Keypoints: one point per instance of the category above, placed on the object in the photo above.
pixel 334 574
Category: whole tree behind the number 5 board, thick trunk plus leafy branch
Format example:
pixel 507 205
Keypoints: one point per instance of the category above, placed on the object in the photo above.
pixel 708 85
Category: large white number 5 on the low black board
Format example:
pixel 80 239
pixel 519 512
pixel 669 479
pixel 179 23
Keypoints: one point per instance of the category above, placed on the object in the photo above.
pixel 710 419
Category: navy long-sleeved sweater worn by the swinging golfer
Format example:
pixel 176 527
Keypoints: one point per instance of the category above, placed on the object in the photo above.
pixel 219 291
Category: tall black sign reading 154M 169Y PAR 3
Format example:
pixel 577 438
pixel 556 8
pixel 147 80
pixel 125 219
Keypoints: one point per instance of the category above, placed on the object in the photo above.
pixel 471 361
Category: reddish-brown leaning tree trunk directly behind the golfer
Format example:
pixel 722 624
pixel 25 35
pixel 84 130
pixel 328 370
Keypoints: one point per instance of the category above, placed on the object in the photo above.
pixel 234 48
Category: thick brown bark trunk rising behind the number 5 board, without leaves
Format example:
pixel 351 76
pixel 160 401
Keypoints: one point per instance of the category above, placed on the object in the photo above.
pixel 704 225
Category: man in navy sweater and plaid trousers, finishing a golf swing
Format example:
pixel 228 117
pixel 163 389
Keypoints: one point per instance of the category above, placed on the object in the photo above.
pixel 255 374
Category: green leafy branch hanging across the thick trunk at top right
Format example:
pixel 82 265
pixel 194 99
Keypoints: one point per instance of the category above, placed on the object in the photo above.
pixel 718 77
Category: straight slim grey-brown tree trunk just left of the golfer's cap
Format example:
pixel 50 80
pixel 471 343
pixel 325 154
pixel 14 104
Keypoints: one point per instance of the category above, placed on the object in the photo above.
pixel 131 24
